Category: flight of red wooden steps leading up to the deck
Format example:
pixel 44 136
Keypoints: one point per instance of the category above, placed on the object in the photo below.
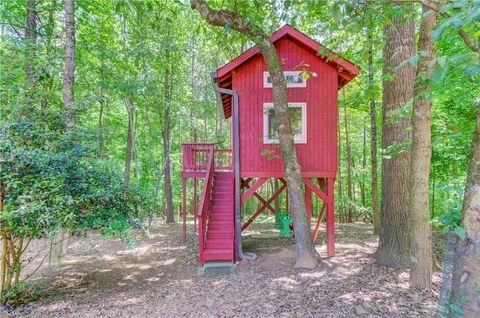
pixel 219 243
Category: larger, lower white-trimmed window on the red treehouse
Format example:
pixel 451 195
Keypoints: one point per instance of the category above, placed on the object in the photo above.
pixel 298 119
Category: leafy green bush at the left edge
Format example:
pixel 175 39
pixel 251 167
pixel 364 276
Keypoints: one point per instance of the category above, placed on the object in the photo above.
pixel 50 180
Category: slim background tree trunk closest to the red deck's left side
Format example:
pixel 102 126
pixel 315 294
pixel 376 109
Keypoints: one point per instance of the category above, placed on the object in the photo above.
pixel 166 146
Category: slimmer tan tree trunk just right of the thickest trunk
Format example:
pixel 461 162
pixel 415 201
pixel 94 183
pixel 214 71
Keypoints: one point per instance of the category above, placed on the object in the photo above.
pixel 421 240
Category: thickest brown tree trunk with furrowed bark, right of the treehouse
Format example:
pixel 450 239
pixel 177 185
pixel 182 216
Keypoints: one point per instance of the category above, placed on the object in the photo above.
pixel 394 243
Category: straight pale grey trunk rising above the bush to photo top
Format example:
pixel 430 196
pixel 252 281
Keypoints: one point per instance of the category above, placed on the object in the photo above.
pixel 69 70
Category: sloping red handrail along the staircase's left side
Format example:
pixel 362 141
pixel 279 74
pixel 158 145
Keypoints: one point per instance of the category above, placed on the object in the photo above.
pixel 205 201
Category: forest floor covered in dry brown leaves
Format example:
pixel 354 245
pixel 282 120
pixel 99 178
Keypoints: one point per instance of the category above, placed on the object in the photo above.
pixel 157 277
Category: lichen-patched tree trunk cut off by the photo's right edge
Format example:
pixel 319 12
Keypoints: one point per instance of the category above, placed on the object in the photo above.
pixel 466 270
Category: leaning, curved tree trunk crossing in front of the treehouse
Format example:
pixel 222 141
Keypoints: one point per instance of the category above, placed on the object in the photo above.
pixel 306 256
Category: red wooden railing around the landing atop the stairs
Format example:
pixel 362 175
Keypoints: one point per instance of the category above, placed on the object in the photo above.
pixel 196 156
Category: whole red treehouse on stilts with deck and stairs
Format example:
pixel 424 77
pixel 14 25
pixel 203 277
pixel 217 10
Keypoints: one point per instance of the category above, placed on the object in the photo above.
pixel 230 176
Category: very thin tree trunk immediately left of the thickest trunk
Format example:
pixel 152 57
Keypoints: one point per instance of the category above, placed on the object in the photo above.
pixel 373 138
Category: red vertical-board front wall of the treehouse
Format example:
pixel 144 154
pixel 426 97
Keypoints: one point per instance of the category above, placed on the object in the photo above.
pixel 319 155
